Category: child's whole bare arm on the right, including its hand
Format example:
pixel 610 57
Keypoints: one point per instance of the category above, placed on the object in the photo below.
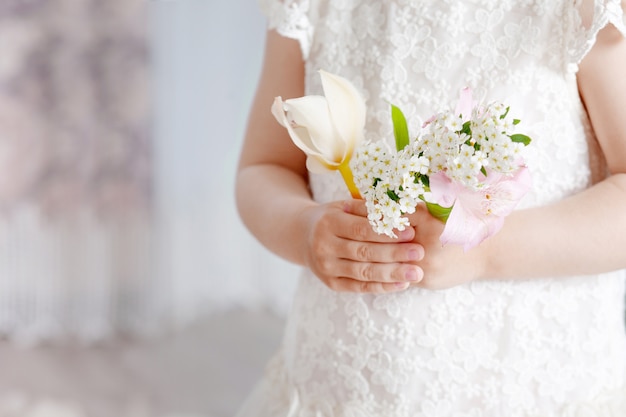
pixel 583 234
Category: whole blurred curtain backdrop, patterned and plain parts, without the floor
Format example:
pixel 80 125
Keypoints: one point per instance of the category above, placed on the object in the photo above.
pixel 120 126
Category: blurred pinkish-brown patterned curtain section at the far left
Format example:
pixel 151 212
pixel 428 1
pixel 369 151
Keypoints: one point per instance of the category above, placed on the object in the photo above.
pixel 76 229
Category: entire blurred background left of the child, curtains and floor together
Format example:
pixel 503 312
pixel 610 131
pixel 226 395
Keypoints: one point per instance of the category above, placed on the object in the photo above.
pixel 128 286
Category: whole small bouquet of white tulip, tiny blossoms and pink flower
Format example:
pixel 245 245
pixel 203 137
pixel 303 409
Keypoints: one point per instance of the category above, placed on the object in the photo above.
pixel 465 165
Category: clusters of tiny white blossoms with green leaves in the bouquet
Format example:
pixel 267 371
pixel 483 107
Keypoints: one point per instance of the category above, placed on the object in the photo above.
pixel 464 147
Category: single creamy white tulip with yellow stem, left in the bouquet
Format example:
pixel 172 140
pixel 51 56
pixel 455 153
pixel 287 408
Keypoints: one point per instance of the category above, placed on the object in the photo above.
pixel 327 128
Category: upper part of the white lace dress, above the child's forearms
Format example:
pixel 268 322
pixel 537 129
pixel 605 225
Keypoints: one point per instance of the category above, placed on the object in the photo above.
pixel 419 54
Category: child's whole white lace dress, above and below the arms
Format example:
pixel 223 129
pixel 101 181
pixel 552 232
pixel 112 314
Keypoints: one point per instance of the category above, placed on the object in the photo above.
pixel 536 348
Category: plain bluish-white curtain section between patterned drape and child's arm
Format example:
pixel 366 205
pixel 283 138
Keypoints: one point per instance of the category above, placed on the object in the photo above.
pixel 208 61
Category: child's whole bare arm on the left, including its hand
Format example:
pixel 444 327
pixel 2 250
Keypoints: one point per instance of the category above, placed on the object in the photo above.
pixel 275 204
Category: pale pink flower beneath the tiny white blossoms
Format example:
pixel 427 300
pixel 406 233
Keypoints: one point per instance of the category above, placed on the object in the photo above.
pixel 478 214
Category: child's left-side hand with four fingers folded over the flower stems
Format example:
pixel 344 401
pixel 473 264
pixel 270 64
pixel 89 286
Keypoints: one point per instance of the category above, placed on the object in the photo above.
pixel 347 255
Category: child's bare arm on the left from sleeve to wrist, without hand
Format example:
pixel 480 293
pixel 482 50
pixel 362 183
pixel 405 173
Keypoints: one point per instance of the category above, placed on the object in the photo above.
pixel 272 179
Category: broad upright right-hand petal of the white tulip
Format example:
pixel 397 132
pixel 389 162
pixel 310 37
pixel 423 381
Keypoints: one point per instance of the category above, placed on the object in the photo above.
pixel 347 109
